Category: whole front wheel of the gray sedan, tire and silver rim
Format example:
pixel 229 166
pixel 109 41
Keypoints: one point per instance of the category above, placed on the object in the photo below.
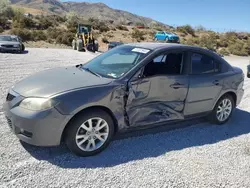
pixel 90 133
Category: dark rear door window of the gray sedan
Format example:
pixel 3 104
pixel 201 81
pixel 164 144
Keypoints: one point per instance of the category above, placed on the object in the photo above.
pixel 203 64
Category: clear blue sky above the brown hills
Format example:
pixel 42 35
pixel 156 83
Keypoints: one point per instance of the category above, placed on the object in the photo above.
pixel 217 15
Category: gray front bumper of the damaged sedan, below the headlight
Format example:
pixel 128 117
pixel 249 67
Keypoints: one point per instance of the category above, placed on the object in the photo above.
pixel 36 128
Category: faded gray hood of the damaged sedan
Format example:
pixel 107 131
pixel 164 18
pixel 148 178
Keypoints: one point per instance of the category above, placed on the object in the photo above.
pixel 57 80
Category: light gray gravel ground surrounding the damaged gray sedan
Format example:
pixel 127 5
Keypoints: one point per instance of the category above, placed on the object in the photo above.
pixel 202 155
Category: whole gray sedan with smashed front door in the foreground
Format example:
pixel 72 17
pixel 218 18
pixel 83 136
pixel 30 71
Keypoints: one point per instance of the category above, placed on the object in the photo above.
pixel 130 87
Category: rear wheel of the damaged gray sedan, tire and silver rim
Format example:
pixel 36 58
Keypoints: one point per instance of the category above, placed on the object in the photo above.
pixel 222 110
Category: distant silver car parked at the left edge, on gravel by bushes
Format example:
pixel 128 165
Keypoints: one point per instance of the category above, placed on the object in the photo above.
pixel 11 43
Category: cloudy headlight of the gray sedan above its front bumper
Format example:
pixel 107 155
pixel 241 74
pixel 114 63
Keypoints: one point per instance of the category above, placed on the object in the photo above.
pixel 37 104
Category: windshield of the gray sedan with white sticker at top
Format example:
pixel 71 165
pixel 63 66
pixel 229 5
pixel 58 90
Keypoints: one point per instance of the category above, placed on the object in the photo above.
pixel 116 62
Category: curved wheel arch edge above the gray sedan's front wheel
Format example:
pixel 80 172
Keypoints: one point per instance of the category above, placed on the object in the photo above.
pixel 107 110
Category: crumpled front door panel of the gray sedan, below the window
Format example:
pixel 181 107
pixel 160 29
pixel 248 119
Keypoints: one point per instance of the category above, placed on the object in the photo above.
pixel 156 99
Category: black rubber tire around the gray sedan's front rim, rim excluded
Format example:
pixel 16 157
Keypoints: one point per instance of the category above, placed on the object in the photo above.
pixel 74 125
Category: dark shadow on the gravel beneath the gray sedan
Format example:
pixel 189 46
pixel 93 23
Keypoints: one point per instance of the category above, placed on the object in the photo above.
pixel 152 145
